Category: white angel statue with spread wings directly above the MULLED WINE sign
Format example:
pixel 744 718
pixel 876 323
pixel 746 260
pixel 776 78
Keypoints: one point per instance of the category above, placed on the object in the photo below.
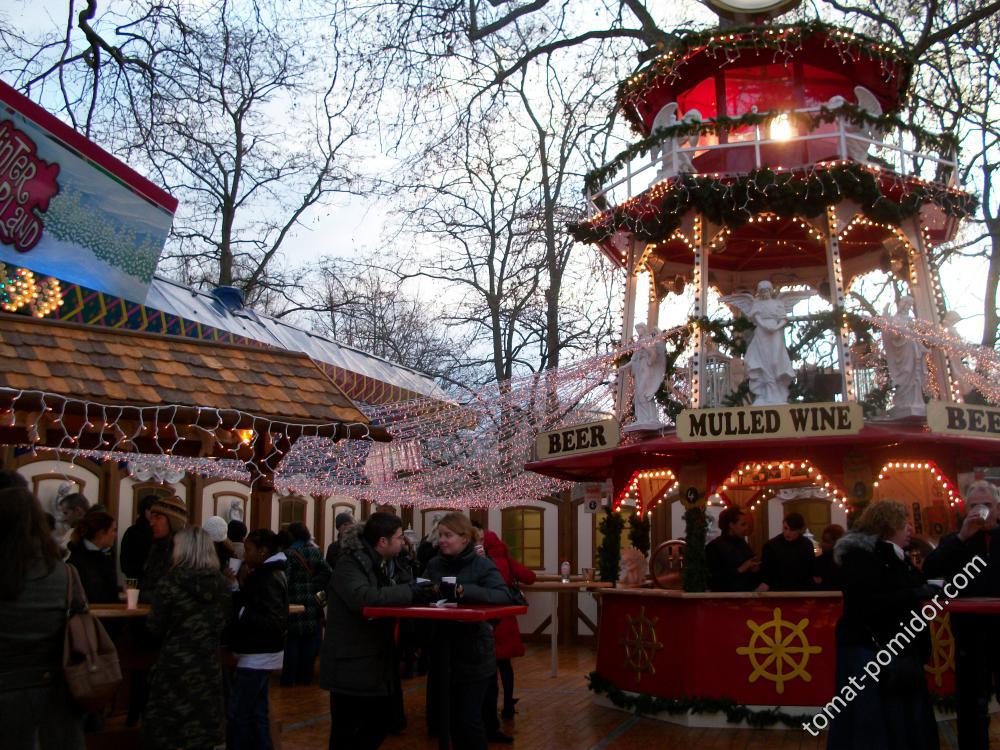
pixel 767 363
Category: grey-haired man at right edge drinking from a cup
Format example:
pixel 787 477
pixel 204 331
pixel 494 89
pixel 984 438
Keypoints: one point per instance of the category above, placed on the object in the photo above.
pixel 977 662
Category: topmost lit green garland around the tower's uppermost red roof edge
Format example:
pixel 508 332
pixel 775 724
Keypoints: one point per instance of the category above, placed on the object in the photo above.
pixel 781 39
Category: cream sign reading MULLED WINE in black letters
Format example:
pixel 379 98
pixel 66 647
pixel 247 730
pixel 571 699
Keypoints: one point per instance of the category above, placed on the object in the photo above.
pixel 770 422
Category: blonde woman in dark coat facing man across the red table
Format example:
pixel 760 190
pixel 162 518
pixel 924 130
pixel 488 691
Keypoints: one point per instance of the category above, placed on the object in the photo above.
pixel 471 650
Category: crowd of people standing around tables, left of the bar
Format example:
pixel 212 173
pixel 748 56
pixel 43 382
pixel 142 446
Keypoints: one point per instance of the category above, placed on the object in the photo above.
pixel 219 623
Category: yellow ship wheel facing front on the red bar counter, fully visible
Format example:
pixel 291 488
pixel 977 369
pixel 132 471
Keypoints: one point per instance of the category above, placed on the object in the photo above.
pixel 779 650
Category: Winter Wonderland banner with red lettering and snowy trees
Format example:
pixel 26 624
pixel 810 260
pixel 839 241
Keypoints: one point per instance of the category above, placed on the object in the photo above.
pixel 72 211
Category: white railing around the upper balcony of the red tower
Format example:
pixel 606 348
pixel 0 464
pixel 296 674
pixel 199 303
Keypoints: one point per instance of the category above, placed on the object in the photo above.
pixel 838 140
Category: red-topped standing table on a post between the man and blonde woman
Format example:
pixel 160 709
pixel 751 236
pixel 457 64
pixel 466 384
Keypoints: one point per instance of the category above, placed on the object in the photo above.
pixel 466 613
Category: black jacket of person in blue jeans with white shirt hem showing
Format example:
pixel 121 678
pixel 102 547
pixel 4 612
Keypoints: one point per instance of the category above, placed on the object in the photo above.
pixel 261 607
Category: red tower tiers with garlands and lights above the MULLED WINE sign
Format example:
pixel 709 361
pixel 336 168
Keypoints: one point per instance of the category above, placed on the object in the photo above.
pixel 772 154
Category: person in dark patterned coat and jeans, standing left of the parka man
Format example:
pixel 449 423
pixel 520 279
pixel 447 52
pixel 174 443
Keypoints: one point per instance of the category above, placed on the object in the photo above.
pixel 307 573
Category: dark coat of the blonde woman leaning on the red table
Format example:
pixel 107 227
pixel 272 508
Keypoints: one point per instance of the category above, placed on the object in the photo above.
pixel 473 649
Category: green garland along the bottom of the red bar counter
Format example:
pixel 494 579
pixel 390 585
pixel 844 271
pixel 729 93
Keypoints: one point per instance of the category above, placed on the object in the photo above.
pixel 643 704
